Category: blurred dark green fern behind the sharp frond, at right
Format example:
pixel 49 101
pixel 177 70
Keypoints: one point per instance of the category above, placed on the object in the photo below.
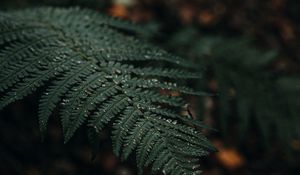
pixel 248 92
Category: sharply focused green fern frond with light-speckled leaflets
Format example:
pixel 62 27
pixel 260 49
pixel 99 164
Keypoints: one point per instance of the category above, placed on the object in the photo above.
pixel 94 72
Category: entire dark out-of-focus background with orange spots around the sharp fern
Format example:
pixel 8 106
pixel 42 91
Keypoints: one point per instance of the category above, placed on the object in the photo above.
pixel 248 54
